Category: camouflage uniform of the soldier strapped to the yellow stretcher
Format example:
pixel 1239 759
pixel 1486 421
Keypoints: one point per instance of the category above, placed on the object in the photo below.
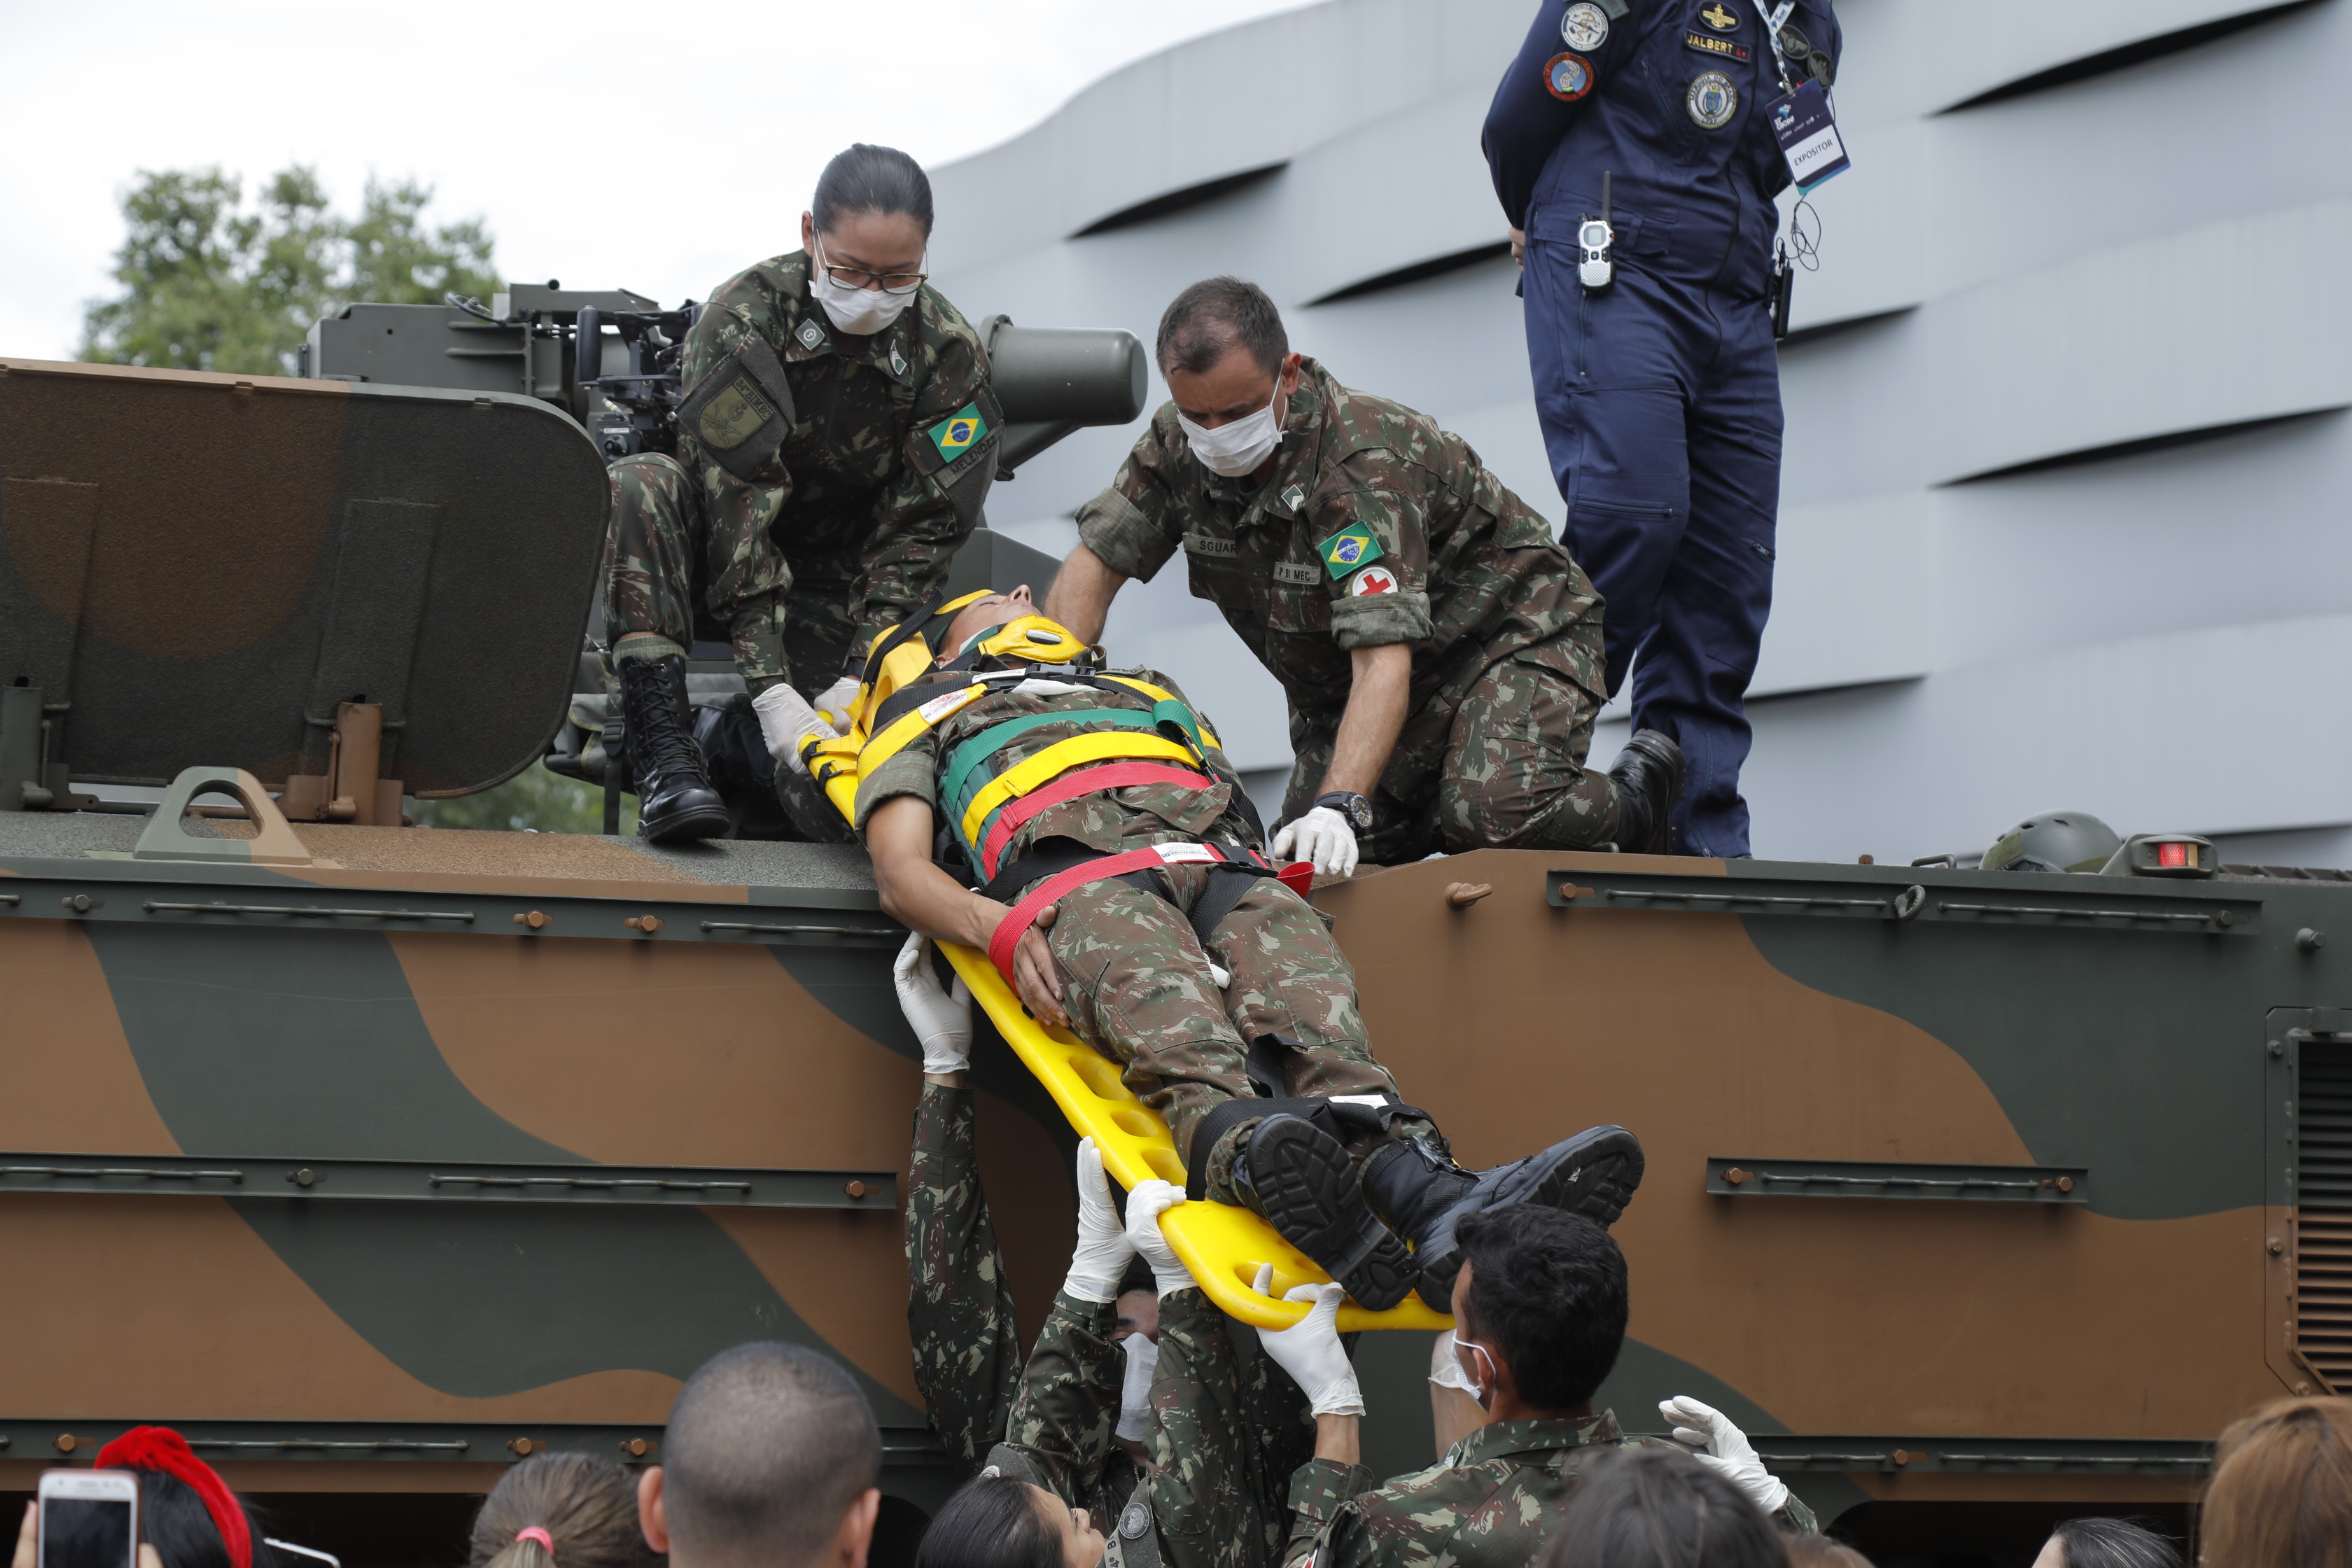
pixel 1137 984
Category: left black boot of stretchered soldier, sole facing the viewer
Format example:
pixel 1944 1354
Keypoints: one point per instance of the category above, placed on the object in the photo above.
pixel 1304 1184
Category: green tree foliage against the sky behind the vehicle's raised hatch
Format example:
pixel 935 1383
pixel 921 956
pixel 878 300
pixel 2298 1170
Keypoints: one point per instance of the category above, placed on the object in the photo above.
pixel 215 286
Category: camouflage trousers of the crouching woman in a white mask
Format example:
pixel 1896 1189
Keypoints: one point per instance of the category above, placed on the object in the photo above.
pixel 669 570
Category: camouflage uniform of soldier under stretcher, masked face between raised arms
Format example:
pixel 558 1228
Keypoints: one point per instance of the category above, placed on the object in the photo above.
pixel 1222 1447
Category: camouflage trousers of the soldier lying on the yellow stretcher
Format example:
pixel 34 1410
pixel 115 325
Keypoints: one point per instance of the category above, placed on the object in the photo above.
pixel 1137 989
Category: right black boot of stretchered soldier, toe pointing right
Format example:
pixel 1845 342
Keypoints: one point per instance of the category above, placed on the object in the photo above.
pixel 1424 1195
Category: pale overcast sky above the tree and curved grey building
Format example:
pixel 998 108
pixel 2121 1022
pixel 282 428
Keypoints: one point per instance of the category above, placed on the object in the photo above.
pixel 655 147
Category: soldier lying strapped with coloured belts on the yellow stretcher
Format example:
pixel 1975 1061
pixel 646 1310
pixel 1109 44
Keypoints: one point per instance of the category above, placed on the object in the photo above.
pixel 1128 897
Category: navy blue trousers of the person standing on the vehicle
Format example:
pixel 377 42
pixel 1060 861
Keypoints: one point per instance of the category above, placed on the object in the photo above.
pixel 1662 415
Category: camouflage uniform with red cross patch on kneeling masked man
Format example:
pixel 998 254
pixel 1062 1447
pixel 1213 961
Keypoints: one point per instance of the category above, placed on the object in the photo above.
pixel 1504 624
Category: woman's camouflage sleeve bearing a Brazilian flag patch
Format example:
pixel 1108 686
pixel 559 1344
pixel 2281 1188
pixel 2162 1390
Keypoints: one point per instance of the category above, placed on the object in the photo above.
pixel 944 474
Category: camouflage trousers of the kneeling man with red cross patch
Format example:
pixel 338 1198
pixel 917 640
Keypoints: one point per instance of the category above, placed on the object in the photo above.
pixel 1509 765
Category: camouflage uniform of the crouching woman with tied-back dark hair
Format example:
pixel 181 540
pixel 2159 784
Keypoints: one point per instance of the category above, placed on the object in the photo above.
pixel 820 490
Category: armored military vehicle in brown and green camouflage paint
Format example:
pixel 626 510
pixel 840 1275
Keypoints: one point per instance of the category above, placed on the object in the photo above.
pixel 375 1158
